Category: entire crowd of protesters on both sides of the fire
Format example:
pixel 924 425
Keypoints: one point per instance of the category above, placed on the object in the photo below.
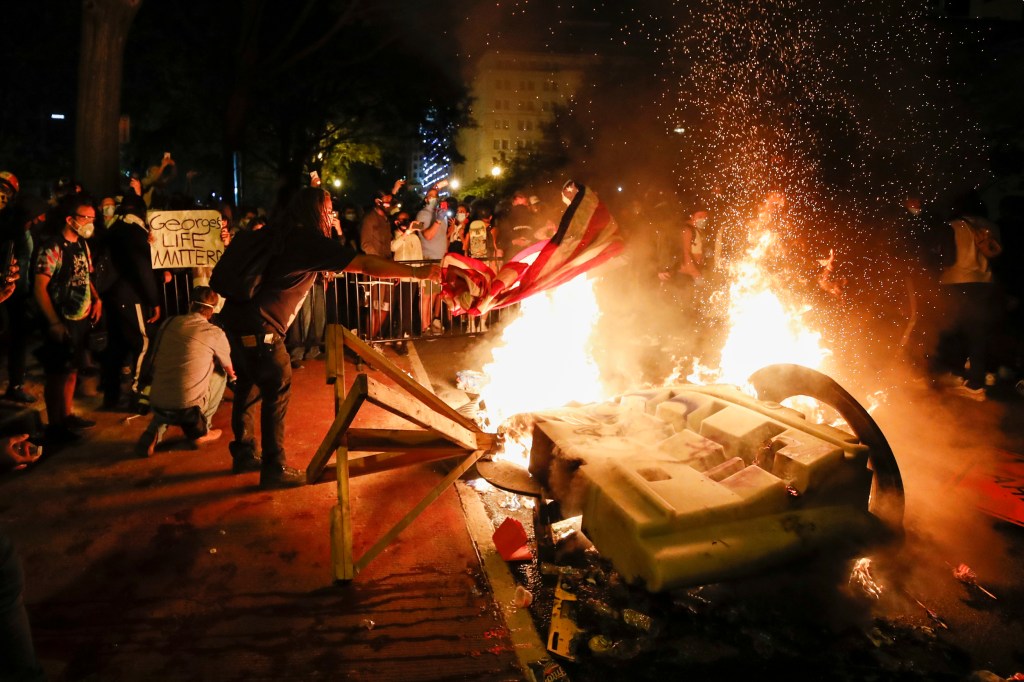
pixel 81 296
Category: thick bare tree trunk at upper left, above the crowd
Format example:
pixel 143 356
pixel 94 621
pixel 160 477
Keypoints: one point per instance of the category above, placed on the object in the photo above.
pixel 105 30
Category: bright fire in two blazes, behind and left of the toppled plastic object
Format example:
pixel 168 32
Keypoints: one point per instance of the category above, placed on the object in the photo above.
pixel 544 359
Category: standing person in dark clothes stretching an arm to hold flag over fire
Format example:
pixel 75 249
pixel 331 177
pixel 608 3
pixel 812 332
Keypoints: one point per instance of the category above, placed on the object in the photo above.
pixel 257 328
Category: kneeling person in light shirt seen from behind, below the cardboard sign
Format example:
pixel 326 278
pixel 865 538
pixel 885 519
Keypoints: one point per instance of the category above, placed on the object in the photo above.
pixel 187 387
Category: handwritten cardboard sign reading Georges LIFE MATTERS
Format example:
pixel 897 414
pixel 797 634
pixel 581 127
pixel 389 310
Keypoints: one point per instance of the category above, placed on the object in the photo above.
pixel 185 239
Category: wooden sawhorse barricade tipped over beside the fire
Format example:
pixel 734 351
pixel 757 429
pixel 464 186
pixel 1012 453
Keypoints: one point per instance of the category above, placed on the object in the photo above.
pixel 444 434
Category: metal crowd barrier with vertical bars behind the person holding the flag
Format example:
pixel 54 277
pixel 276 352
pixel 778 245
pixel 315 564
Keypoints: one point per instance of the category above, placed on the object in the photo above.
pixel 377 311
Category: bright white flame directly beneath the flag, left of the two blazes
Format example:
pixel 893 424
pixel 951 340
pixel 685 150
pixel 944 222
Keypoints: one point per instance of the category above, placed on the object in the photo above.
pixel 543 361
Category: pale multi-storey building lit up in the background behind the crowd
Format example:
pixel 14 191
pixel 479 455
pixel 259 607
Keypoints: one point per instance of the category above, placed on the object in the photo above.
pixel 515 96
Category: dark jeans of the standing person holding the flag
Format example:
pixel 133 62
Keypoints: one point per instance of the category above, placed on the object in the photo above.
pixel 265 373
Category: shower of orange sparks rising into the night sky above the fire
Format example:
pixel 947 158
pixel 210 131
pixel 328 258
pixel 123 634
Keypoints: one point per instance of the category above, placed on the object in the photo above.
pixel 839 108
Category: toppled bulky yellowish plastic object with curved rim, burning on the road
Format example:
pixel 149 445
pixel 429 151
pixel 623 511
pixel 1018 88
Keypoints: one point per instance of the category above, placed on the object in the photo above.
pixel 693 485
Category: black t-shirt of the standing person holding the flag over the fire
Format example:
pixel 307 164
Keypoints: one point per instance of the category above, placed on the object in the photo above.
pixel 287 282
